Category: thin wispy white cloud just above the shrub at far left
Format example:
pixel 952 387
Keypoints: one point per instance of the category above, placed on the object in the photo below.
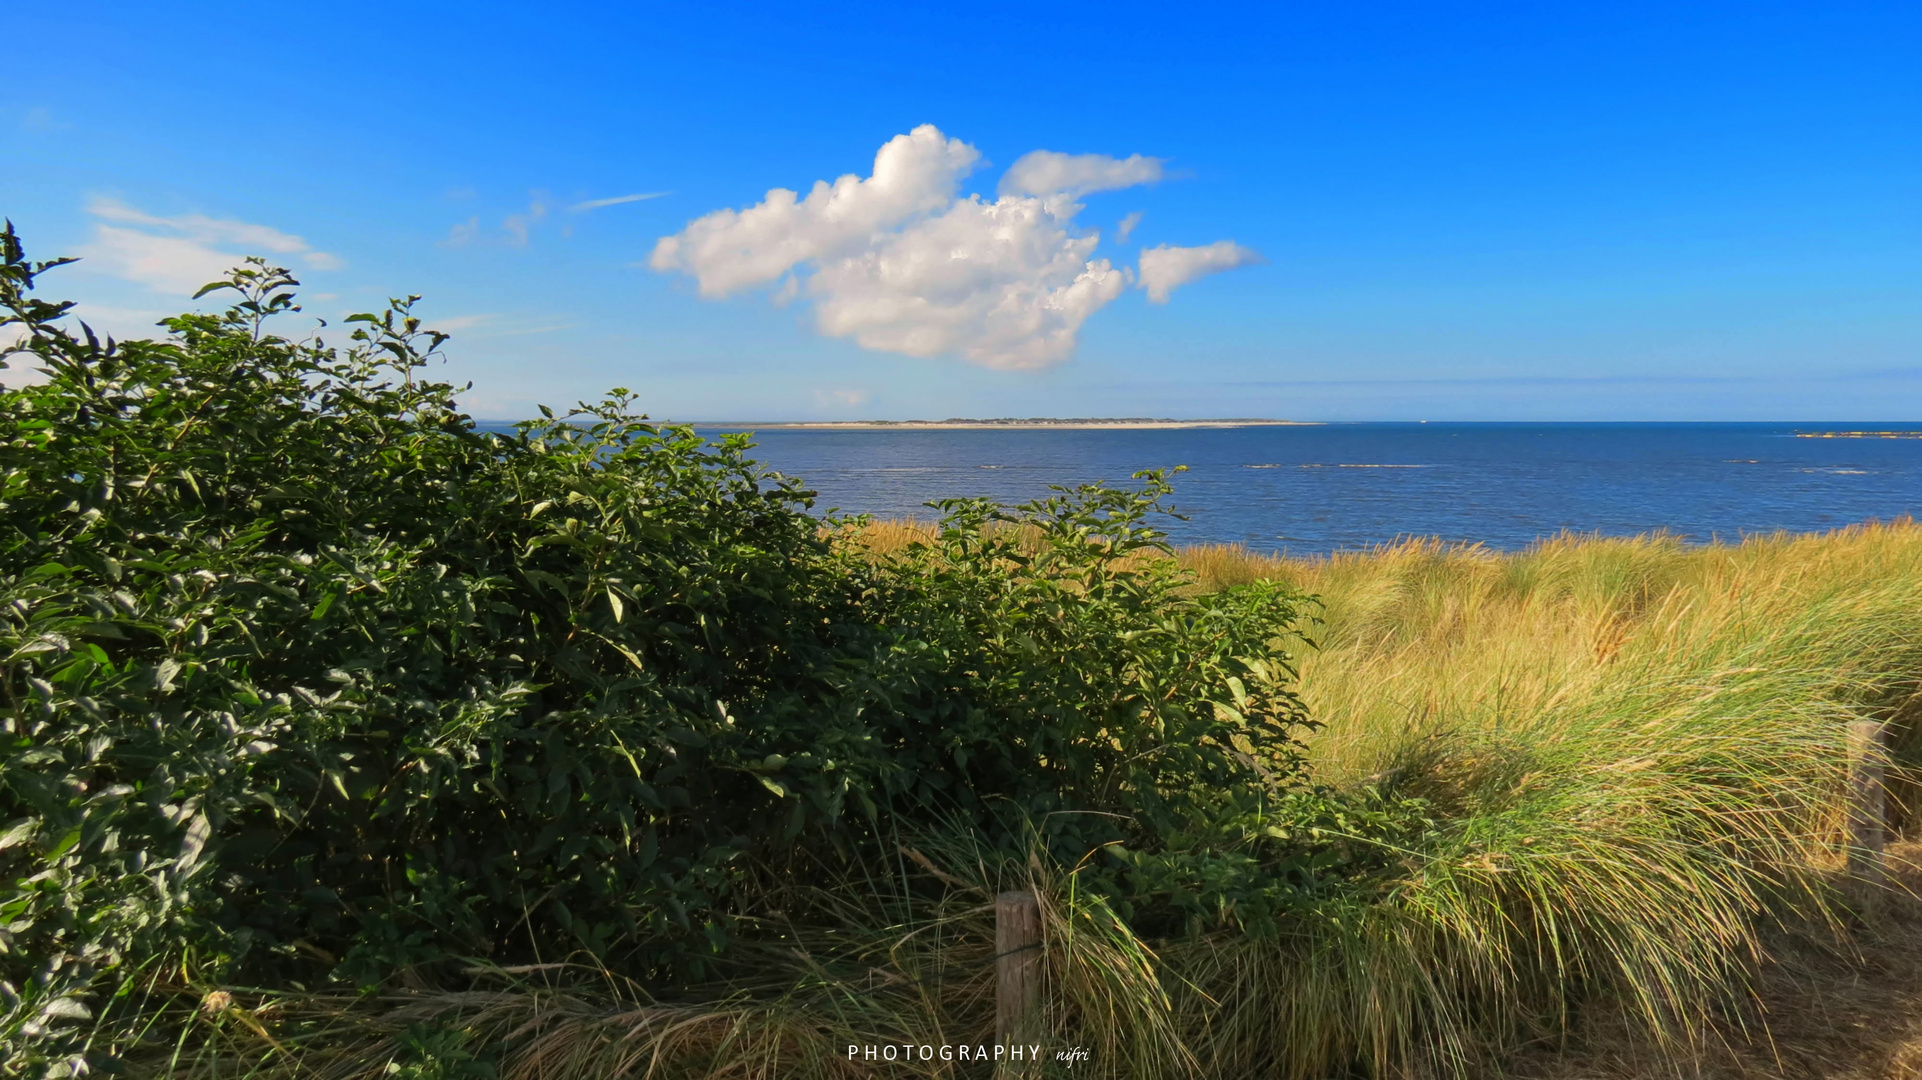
pixel 180 255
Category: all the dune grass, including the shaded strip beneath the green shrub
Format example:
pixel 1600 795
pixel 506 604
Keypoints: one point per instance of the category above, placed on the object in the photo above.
pixel 1629 756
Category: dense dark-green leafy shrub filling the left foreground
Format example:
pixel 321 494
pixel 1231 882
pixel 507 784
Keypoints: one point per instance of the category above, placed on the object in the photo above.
pixel 308 679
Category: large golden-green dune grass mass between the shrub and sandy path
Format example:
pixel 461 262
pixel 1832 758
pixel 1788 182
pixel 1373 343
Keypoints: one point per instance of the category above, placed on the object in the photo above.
pixel 1635 754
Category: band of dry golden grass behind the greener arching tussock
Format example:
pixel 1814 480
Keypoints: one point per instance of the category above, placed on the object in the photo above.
pixel 1421 639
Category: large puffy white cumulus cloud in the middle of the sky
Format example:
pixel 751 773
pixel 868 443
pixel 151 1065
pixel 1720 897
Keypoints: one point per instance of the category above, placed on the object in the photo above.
pixel 902 262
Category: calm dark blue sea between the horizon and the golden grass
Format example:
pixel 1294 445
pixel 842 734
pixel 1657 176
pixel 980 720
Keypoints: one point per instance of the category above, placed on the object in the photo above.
pixel 1329 487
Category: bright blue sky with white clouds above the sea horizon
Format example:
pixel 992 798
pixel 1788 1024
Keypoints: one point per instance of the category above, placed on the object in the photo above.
pixel 1408 210
